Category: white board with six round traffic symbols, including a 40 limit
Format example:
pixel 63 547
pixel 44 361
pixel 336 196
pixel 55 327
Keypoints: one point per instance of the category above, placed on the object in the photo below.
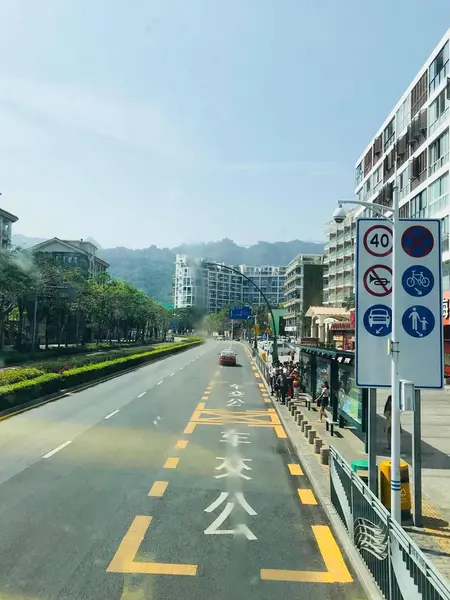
pixel 419 302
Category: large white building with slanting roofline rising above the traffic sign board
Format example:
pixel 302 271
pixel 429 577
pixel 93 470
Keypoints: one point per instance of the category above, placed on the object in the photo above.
pixel 416 132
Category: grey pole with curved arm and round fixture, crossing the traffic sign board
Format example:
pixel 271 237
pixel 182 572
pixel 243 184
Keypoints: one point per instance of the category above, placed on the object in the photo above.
pixel 339 216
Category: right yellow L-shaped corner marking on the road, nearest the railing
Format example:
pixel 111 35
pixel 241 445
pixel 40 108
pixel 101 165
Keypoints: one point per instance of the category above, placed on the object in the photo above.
pixel 336 572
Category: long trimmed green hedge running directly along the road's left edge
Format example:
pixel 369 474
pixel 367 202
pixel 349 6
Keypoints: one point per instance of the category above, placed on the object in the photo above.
pixel 49 383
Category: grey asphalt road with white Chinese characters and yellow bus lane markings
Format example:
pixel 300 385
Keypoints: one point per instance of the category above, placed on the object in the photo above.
pixel 173 482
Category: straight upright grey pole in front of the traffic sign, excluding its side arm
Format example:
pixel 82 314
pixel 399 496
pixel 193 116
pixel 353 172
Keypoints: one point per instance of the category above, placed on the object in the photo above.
pixel 395 356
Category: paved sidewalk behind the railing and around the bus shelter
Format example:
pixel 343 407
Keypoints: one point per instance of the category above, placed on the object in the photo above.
pixel 434 538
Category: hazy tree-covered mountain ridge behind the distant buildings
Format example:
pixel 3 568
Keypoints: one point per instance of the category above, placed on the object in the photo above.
pixel 151 269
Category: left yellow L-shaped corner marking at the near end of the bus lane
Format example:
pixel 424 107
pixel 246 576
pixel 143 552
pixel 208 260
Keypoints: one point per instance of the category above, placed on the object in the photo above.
pixel 124 559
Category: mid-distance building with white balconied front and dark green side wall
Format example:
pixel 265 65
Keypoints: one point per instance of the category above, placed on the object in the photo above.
pixel 303 287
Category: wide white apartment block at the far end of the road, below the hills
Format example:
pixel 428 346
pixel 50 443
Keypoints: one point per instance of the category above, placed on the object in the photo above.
pixel 213 288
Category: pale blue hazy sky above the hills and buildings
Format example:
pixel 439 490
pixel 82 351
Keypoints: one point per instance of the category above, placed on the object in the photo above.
pixel 142 122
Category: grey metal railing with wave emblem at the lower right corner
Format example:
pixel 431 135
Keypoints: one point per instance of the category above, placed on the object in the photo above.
pixel 399 567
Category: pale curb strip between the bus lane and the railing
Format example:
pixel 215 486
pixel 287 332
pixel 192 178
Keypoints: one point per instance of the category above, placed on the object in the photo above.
pixel 315 473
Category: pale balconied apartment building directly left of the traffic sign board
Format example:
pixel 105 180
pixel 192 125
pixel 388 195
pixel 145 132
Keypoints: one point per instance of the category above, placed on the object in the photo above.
pixel 339 283
